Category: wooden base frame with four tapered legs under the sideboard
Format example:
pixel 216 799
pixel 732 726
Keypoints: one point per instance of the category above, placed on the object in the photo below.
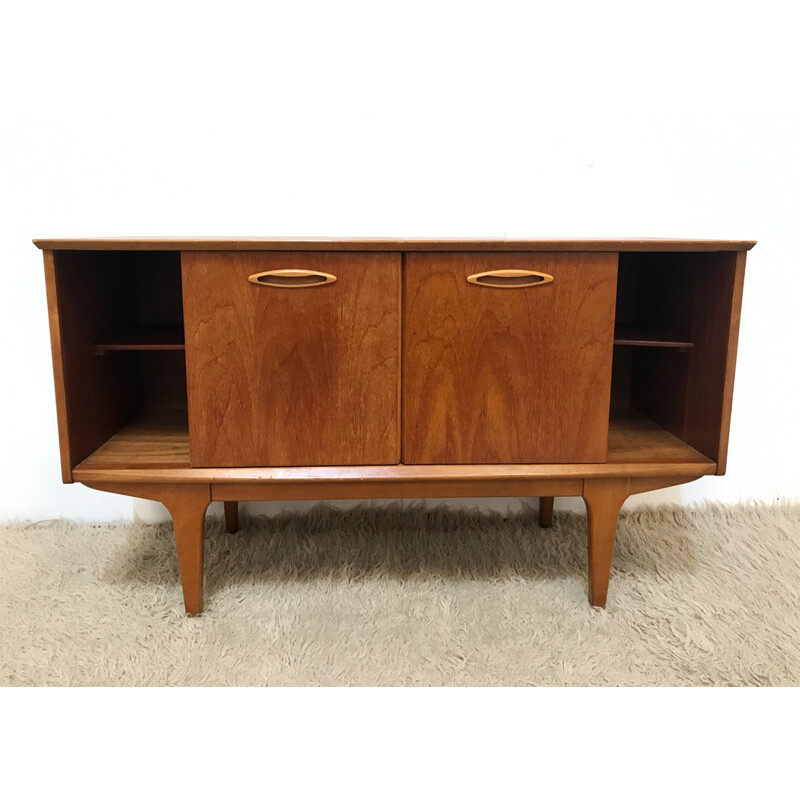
pixel 187 504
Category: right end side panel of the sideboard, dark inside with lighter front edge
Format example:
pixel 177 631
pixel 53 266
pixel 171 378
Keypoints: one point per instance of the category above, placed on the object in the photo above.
pixel 717 311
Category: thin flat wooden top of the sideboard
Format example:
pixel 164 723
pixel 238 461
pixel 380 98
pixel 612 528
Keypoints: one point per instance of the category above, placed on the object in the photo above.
pixel 443 245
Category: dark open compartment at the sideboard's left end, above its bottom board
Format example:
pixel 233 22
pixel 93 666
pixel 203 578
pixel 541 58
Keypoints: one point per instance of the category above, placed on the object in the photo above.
pixel 121 326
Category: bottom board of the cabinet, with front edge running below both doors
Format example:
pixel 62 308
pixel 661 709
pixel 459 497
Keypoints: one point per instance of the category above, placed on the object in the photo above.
pixel 157 442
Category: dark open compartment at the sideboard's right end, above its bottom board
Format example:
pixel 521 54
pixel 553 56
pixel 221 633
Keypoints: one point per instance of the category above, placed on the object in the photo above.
pixel 672 331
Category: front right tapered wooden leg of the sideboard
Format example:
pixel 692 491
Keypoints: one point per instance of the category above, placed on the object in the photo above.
pixel 604 498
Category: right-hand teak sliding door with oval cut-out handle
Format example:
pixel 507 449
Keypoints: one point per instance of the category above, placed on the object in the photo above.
pixel 504 366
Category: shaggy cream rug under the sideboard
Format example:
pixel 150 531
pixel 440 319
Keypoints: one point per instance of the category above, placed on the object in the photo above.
pixel 408 597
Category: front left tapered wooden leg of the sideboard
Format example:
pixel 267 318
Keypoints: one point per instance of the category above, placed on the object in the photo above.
pixel 187 503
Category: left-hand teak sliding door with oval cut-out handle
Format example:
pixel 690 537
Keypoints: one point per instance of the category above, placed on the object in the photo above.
pixel 292 368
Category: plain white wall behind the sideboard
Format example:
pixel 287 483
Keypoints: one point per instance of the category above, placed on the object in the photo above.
pixel 401 119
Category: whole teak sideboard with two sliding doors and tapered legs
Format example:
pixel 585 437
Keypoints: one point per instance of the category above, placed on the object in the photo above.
pixel 193 370
